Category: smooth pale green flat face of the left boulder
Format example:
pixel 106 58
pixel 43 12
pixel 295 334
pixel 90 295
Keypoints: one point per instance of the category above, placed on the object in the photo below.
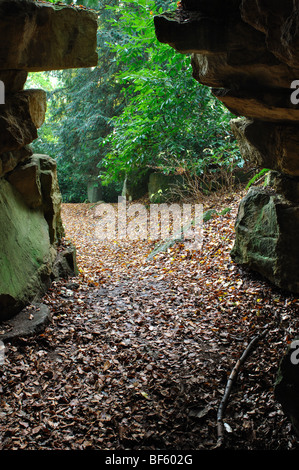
pixel 26 255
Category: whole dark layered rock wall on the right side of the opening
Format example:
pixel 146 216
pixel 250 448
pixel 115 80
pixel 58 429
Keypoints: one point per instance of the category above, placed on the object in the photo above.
pixel 247 51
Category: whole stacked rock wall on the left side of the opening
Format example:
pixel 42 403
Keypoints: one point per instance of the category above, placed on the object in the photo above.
pixel 34 37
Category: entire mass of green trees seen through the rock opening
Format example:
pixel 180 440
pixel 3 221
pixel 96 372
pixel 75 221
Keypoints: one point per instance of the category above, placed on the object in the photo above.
pixel 139 109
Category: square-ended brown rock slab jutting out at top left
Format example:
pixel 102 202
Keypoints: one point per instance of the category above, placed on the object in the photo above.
pixel 41 36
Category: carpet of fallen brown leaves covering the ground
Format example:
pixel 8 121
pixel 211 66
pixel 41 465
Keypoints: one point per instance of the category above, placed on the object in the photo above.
pixel 138 352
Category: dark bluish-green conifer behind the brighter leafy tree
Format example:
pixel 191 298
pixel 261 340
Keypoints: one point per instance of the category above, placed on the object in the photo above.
pixel 81 103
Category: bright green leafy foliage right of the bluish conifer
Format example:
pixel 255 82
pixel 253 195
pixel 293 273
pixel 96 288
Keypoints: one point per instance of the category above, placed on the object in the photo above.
pixel 169 119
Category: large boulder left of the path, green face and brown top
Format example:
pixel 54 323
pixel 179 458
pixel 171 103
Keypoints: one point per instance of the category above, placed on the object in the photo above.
pixel 30 215
